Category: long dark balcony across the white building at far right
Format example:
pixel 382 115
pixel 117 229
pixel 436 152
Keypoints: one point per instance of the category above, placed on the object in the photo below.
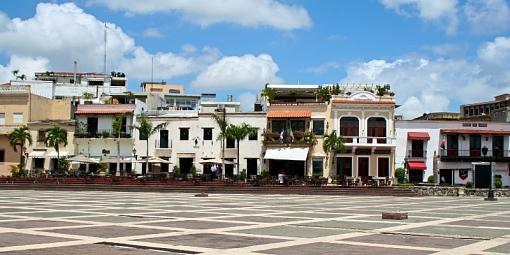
pixel 474 155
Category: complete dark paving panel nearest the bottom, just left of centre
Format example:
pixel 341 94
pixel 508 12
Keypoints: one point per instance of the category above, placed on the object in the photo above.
pixel 215 241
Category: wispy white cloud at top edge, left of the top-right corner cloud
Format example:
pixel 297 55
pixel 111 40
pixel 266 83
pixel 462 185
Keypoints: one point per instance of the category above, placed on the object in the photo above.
pixel 437 11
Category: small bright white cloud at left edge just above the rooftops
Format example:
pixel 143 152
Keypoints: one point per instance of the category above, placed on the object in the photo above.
pixel 25 65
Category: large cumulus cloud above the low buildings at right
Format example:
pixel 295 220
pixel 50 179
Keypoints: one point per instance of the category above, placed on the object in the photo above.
pixel 429 85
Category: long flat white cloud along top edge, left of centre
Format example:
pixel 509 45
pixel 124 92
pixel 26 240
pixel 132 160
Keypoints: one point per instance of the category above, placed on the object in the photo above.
pixel 250 13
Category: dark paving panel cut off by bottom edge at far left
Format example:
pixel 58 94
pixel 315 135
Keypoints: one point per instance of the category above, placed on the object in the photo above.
pixel 90 249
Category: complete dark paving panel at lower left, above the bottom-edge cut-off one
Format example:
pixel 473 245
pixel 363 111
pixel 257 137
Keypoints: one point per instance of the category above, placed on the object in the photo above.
pixel 108 231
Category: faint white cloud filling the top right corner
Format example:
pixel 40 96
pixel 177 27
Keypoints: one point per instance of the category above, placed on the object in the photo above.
pixel 488 16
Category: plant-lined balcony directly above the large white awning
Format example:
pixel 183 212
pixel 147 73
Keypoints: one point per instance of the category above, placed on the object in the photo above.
pixel 299 139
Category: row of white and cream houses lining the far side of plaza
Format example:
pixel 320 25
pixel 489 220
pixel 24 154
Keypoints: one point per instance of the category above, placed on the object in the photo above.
pixel 292 123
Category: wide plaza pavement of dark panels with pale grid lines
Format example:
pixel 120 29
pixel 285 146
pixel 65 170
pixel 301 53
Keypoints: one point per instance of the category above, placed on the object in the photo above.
pixel 65 222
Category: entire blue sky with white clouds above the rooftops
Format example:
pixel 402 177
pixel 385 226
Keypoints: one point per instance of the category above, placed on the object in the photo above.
pixel 436 54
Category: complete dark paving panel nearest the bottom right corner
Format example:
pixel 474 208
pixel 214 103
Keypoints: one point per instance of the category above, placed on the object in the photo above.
pixel 409 240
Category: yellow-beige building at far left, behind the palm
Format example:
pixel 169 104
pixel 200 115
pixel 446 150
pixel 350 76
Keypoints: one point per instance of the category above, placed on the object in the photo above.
pixel 19 107
